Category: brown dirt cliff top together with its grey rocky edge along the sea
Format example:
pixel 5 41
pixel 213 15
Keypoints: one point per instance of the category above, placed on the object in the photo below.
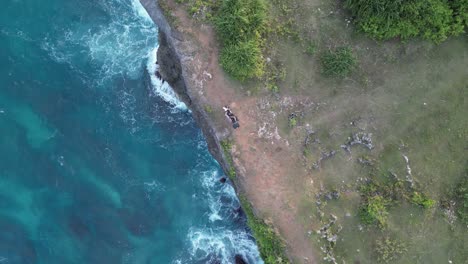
pixel 254 158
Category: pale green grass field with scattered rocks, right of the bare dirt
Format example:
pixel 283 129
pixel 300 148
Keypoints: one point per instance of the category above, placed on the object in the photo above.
pixel 412 98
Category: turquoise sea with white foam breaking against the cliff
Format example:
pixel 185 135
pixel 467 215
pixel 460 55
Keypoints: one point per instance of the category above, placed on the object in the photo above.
pixel 99 163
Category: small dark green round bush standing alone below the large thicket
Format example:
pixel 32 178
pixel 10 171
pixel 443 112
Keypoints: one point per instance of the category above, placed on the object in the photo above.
pixel 339 62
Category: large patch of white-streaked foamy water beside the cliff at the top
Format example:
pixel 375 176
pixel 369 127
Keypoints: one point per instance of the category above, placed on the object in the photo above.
pixel 117 47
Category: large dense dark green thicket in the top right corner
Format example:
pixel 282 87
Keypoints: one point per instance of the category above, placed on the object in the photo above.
pixel 430 19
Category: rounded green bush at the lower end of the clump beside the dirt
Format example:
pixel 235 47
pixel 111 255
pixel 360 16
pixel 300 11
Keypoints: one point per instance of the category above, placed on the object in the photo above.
pixel 243 60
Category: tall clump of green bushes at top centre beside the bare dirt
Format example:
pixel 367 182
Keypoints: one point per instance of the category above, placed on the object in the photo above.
pixel 240 25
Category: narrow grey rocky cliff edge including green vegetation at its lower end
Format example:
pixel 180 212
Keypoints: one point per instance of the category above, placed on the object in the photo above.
pixel 174 56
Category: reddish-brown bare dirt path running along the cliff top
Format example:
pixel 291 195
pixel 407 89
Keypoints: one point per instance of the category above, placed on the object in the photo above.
pixel 264 159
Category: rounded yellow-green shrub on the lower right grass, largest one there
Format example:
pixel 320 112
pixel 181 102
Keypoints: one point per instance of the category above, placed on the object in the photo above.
pixel 374 210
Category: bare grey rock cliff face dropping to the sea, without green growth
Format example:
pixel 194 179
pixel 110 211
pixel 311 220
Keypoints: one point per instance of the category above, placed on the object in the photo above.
pixel 175 72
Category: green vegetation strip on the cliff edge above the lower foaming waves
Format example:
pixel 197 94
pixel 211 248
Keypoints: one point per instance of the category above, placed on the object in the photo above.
pixel 271 246
